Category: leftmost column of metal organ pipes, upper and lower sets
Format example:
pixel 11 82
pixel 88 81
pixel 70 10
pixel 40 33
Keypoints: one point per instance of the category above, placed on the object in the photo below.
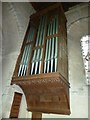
pixel 26 54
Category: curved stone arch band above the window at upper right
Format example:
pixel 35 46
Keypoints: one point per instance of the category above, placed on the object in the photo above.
pixel 76 13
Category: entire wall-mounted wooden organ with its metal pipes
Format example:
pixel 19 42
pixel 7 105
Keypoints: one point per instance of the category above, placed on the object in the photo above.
pixel 42 65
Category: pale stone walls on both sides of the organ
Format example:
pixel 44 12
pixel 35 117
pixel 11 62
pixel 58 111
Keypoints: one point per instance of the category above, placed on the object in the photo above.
pixel 15 19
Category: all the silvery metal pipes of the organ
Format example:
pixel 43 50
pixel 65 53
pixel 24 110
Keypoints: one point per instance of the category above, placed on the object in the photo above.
pixel 51 52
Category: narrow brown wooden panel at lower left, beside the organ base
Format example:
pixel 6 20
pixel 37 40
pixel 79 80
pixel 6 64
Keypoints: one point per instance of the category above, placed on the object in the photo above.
pixel 15 105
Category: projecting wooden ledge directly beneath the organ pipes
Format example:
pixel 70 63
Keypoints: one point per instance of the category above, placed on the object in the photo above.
pixel 55 76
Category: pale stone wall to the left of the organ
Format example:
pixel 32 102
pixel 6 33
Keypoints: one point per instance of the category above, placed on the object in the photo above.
pixel 15 22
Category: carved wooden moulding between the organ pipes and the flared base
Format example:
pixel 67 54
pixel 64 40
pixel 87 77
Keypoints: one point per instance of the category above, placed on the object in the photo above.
pixel 26 79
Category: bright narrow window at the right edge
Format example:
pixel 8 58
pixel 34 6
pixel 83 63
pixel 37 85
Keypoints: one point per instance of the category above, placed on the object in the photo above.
pixel 85 46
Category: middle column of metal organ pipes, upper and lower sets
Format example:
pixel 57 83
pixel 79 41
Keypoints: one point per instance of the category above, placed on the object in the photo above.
pixel 37 57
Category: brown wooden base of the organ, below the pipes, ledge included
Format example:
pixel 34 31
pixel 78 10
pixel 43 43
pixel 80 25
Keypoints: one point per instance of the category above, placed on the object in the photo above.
pixel 48 93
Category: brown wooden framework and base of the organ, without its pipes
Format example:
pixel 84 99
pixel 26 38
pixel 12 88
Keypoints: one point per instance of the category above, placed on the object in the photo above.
pixel 46 92
